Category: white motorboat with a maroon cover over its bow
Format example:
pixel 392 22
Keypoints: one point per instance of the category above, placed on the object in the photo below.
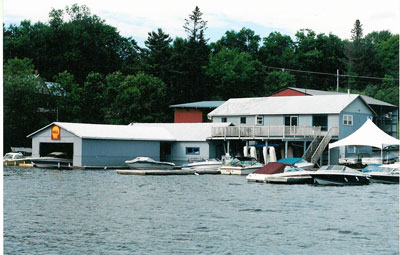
pixel 282 173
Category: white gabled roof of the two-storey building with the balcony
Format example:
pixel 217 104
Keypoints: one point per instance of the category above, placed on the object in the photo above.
pixel 328 104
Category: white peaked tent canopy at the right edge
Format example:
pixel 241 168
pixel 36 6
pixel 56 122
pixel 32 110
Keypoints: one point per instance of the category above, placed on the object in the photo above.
pixel 367 135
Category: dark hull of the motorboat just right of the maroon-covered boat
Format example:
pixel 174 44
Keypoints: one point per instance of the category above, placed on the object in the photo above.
pixel 340 179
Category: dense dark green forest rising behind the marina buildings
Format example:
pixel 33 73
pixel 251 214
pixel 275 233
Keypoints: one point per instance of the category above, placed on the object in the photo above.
pixel 77 68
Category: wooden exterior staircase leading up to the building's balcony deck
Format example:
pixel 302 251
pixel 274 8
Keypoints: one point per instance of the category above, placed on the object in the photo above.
pixel 317 146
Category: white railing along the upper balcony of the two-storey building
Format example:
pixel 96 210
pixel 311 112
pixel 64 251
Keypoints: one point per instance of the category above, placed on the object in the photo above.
pixel 265 131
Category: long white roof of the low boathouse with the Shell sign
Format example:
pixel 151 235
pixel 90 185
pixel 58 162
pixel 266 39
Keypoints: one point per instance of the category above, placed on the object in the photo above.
pixel 139 131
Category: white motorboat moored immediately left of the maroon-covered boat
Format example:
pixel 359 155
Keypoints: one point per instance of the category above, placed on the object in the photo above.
pixel 241 166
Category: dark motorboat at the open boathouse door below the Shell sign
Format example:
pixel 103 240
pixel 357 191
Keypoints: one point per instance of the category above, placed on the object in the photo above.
pixel 53 160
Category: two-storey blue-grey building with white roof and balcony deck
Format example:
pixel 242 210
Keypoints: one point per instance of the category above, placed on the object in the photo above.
pixel 299 126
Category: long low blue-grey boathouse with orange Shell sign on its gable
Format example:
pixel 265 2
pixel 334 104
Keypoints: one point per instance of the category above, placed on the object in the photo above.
pixel 110 145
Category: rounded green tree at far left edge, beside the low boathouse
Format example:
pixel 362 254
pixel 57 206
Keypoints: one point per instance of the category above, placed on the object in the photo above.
pixel 22 102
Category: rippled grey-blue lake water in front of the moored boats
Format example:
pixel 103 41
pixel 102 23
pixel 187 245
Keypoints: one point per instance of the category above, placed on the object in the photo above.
pixel 101 212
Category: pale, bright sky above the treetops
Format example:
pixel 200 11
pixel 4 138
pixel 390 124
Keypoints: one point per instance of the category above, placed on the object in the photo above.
pixel 136 18
